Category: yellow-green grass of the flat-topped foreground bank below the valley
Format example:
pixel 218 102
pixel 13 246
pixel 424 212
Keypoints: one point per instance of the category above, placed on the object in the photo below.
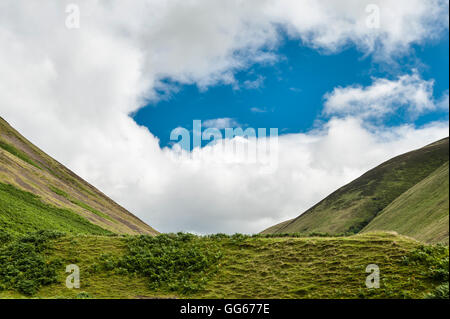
pixel 246 267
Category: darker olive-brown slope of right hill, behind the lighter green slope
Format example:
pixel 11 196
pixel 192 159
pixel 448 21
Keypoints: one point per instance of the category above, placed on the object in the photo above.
pixel 352 207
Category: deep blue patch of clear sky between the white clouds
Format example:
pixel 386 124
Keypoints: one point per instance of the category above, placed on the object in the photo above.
pixel 291 90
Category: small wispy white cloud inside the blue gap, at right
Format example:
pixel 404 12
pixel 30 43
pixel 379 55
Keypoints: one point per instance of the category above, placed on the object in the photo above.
pixel 383 97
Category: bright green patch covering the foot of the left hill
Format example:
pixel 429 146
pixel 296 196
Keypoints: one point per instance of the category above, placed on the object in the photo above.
pixel 23 212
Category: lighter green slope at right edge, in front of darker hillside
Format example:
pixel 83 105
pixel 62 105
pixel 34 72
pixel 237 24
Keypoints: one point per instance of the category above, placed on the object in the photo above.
pixel 421 212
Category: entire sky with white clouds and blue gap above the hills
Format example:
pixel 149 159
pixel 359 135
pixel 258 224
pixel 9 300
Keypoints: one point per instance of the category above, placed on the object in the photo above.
pixel 100 86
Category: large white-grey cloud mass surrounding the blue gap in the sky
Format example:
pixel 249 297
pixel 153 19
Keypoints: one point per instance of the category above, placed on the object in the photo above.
pixel 71 92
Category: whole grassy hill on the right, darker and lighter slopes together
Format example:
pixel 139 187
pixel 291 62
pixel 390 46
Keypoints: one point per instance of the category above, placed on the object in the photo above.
pixel 354 206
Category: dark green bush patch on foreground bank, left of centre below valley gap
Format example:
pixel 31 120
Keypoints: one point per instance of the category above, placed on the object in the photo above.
pixel 175 262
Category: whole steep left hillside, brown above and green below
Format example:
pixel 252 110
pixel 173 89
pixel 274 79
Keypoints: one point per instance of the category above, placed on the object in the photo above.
pixel 37 192
